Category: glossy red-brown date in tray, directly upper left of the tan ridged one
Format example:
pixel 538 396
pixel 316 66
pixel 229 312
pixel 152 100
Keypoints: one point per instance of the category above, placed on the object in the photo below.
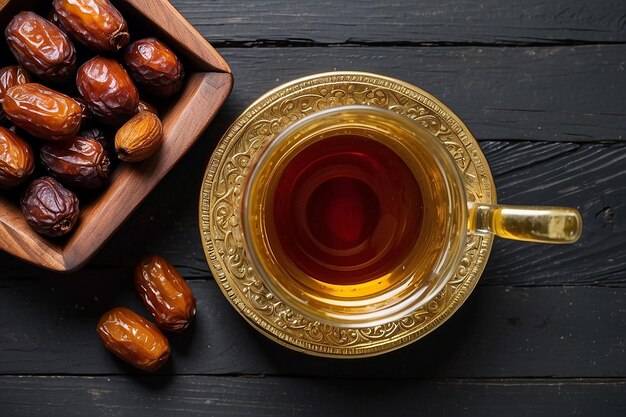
pixel 107 89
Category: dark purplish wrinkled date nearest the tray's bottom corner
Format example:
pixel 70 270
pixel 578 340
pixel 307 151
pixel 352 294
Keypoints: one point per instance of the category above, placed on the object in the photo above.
pixel 49 208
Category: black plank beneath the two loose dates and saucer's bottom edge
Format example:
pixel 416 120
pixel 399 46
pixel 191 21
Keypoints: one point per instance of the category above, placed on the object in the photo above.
pixel 49 328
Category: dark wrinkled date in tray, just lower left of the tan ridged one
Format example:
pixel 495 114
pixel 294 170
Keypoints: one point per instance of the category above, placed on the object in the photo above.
pixel 81 162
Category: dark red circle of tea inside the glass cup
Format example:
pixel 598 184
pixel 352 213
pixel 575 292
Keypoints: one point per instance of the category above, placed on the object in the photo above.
pixel 346 210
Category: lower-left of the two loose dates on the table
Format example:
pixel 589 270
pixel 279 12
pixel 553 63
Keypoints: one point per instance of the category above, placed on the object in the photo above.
pixel 133 339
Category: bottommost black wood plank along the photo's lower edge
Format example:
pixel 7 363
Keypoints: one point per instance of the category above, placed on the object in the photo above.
pixel 227 396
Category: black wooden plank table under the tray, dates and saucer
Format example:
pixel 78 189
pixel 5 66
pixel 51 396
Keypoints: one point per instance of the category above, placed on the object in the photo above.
pixel 542 84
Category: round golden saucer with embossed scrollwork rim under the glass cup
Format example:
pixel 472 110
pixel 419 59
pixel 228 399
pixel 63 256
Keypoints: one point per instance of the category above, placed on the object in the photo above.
pixel 220 224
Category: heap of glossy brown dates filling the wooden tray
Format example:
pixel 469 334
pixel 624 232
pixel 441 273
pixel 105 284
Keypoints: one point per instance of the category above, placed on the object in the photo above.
pixel 71 106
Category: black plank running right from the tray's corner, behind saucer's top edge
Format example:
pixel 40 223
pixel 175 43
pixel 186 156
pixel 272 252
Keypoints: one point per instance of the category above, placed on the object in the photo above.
pixel 548 93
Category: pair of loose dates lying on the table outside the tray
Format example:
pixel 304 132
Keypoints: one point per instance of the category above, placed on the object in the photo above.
pixel 167 297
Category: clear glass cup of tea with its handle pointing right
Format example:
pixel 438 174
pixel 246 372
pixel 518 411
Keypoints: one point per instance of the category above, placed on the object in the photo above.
pixel 356 216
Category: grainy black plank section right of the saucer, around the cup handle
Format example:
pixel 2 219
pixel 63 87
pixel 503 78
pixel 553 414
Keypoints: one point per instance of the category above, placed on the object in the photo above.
pixel 589 177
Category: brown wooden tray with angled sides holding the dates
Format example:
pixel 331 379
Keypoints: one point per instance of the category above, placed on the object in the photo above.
pixel 208 84
